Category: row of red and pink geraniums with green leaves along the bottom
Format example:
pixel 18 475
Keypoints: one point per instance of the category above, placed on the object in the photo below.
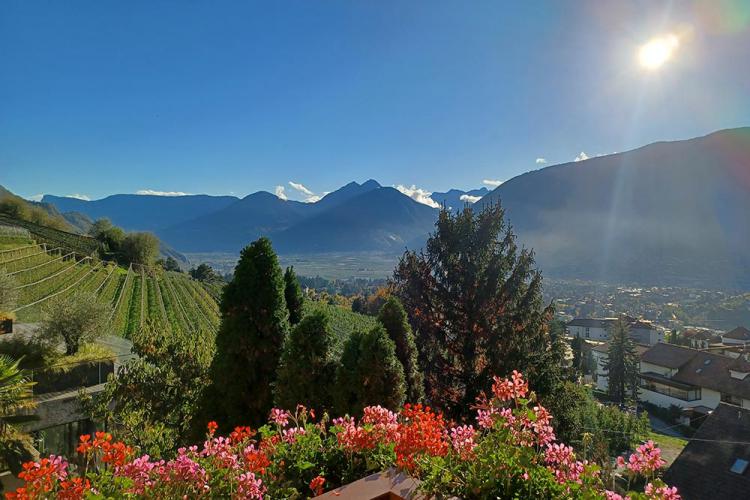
pixel 510 453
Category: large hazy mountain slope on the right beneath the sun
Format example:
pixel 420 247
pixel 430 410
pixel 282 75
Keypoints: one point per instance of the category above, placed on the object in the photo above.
pixel 667 213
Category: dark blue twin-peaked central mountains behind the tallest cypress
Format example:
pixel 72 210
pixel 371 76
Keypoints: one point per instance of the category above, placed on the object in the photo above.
pixel 356 217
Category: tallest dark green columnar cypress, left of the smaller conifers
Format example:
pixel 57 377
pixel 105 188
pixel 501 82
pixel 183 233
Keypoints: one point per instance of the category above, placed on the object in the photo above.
pixel 254 322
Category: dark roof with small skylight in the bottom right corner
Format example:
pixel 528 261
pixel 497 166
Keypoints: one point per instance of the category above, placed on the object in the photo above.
pixel 716 462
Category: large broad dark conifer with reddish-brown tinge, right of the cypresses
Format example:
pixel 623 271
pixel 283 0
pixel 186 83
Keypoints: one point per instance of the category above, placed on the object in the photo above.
pixel 474 300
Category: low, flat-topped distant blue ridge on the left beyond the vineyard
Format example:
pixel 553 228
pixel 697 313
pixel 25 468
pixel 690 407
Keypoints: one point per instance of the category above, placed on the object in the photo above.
pixel 143 212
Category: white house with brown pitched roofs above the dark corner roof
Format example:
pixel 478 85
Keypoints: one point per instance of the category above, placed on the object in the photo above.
pixel 689 378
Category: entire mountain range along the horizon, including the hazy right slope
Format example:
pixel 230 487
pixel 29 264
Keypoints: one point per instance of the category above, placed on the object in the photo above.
pixel 667 213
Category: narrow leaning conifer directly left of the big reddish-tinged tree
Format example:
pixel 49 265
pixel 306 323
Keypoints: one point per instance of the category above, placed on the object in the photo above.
pixel 393 318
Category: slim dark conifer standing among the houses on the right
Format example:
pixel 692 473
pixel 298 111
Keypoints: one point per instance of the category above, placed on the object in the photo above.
pixel 622 363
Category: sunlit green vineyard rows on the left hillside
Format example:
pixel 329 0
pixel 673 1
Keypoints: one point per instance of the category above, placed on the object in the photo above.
pixel 42 272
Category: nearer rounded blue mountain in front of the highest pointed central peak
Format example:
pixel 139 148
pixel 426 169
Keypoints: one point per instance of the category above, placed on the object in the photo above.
pixel 380 220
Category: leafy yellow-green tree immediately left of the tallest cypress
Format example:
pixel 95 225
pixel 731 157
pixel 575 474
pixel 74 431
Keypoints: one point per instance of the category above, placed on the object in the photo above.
pixel 152 401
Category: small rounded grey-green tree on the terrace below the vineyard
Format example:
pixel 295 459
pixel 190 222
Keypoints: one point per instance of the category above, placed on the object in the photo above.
pixel 74 320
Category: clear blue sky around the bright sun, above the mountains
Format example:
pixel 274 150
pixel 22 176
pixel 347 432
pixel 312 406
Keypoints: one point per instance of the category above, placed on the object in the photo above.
pixel 103 97
